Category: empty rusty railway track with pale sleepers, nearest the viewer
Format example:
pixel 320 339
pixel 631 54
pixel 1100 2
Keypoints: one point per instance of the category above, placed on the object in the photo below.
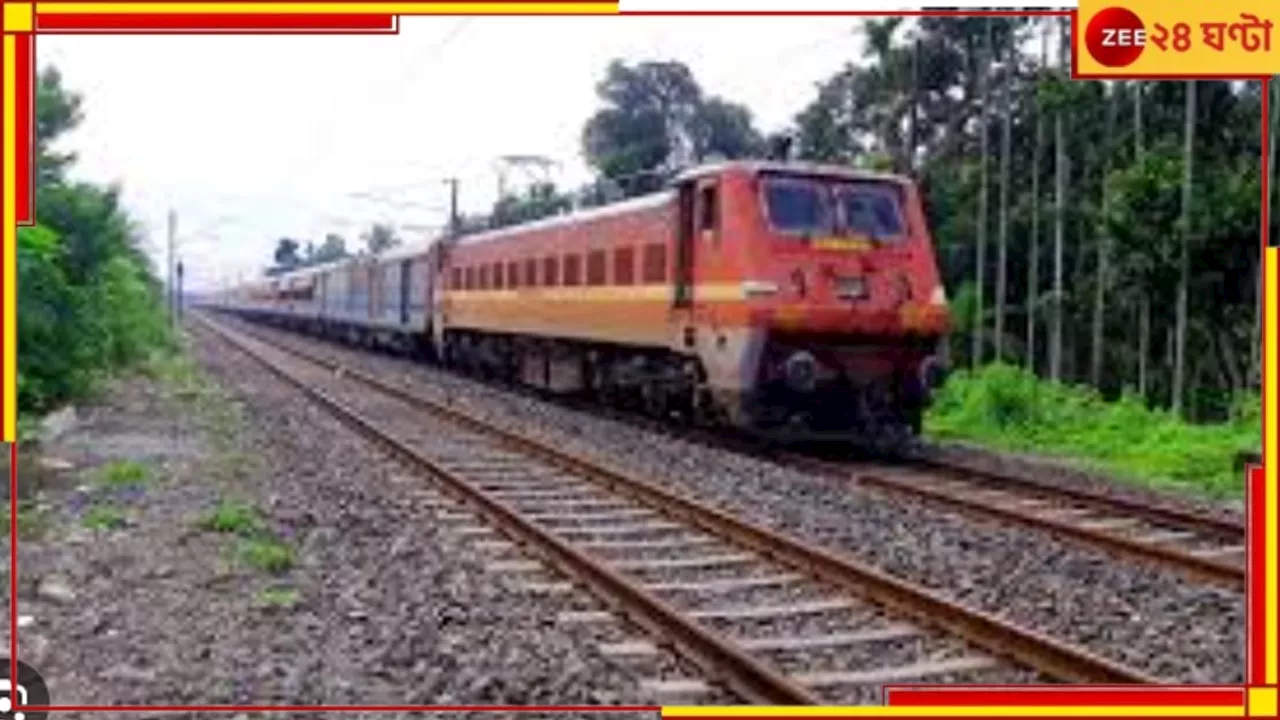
pixel 766 617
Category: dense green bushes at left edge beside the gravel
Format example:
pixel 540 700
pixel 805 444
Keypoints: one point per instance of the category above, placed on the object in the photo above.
pixel 88 300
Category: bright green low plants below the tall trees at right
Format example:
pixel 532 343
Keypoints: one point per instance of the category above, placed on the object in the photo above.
pixel 1007 408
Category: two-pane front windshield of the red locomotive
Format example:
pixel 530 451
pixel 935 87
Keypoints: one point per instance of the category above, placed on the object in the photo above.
pixel 825 208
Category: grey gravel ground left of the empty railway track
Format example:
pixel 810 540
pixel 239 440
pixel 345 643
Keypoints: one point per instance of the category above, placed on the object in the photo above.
pixel 390 607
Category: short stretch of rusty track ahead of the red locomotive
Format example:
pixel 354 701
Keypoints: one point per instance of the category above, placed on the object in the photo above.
pixel 1201 546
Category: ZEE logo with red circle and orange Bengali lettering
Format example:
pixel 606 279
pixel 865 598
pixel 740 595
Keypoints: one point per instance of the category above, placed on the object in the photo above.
pixel 1117 37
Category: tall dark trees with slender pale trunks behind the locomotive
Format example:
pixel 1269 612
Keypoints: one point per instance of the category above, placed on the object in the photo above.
pixel 1095 233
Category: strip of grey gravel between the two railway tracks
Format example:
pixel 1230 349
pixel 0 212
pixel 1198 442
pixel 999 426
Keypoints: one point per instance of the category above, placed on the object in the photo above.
pixel 1144 616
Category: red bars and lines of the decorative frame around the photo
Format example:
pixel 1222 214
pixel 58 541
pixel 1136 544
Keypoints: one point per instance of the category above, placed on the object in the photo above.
pixel 956 696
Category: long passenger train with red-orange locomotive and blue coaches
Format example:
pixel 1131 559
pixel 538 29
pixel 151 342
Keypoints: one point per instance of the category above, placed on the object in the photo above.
pixel 789 300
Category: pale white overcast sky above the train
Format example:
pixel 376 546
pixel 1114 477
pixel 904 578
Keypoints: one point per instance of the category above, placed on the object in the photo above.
pixel 252 139
